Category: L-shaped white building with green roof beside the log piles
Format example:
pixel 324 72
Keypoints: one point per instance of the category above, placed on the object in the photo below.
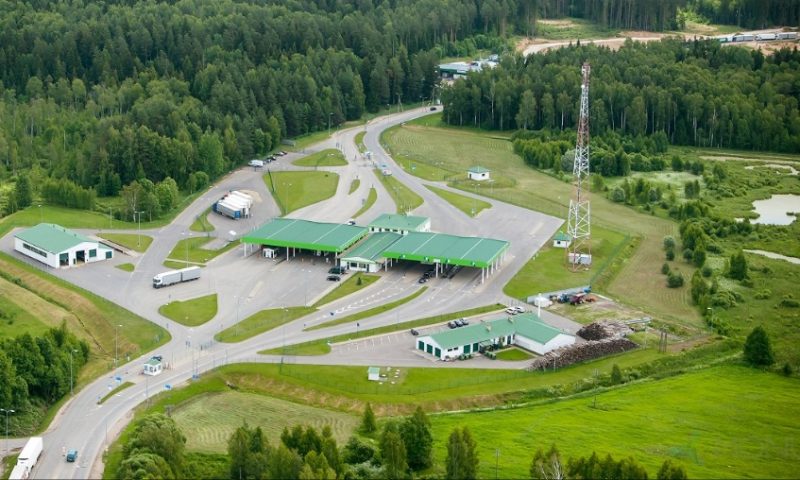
pixel 525 330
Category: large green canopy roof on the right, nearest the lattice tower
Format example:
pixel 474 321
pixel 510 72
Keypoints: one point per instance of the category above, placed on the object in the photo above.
pixel 447 249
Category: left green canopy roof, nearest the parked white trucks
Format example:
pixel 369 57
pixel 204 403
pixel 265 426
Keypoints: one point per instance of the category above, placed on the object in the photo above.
pixel 305 234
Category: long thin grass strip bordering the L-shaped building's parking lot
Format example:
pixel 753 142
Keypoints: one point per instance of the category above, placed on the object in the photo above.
pixel 322 347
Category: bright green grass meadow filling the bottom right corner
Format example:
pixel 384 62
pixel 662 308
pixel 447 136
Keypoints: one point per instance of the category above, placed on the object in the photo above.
pixel 724 422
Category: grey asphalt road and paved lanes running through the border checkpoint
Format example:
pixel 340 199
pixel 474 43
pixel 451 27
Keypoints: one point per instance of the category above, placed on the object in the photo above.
pixel 248 284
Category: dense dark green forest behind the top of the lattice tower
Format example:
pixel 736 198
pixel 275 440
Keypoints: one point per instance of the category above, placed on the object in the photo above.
pixel 695 93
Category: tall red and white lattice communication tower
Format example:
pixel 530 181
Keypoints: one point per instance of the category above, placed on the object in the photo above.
pixel 579 252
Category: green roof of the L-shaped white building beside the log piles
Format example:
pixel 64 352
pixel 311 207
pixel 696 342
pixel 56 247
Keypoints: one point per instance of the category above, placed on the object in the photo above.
pixel 527 325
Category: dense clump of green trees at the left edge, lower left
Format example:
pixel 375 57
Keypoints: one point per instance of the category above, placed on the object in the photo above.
pixel 37 371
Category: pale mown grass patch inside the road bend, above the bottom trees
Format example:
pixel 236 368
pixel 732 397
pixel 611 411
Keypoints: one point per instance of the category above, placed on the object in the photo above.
pixel 208 420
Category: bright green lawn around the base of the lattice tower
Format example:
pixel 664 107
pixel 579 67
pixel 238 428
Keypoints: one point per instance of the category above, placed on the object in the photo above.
pixel 547 270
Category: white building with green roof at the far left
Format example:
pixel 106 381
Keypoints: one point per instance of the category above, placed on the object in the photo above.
pixel 58 247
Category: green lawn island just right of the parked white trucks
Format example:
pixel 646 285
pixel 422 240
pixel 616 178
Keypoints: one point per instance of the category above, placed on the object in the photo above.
pixel 295 190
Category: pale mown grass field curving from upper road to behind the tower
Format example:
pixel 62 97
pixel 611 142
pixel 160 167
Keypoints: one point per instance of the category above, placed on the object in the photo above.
pixel 637 279
